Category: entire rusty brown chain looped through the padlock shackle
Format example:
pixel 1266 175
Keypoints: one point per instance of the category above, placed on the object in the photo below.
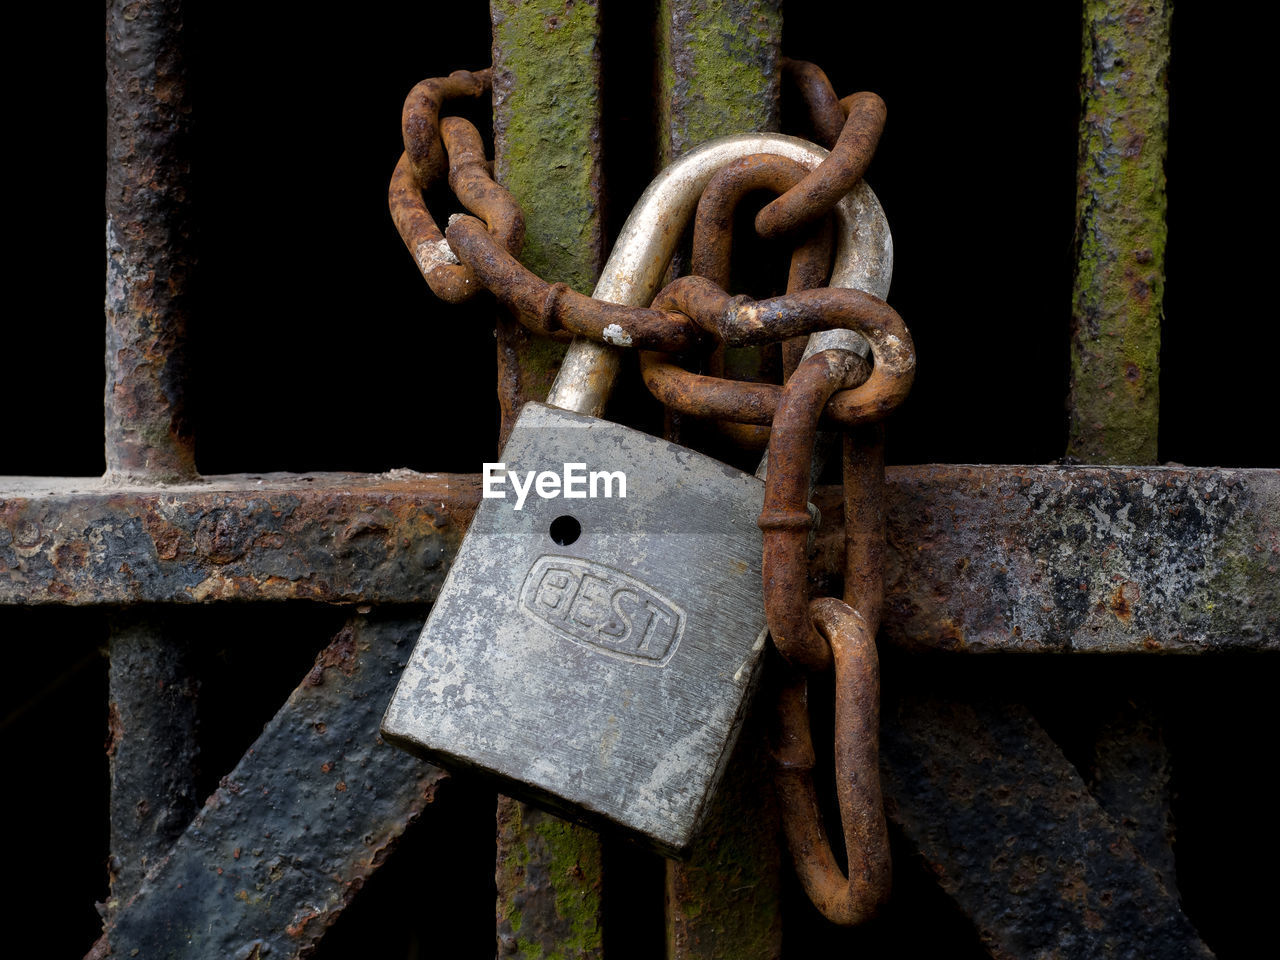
pixel 694 316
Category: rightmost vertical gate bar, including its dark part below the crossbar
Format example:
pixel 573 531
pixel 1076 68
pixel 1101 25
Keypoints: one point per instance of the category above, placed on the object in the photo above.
pixel 1116 344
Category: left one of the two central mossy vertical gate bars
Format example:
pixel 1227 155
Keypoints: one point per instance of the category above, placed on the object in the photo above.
pixel 547 148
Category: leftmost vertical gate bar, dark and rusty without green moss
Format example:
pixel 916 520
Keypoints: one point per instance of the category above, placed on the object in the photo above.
pixel 153 696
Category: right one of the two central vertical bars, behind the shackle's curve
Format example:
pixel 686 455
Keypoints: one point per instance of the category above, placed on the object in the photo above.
pixel 719 75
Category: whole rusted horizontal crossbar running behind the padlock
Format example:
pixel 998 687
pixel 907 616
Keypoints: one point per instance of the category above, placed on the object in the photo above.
pixel 981 559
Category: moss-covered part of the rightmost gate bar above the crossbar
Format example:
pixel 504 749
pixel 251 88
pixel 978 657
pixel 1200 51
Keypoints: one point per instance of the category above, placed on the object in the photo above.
pixel 1121 234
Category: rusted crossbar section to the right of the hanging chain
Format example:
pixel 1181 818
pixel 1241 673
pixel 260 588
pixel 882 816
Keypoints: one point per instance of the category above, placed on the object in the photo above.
pixel 1082 559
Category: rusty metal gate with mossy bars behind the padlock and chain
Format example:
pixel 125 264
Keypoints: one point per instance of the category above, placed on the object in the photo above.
pixel 253 324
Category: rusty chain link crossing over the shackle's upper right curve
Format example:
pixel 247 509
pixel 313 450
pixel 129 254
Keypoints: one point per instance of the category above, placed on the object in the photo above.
pixel 836 176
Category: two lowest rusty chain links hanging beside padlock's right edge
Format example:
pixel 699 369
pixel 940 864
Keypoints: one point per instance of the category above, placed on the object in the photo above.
pixel 813 637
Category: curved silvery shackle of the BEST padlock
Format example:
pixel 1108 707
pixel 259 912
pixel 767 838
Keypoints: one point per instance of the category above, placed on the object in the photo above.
pixel 634 272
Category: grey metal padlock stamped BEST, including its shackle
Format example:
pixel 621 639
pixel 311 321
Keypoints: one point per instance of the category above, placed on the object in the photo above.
pixel 597 653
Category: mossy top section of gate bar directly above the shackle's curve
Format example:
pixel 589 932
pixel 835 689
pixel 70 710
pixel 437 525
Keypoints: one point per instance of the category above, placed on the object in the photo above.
pixel 719 70
